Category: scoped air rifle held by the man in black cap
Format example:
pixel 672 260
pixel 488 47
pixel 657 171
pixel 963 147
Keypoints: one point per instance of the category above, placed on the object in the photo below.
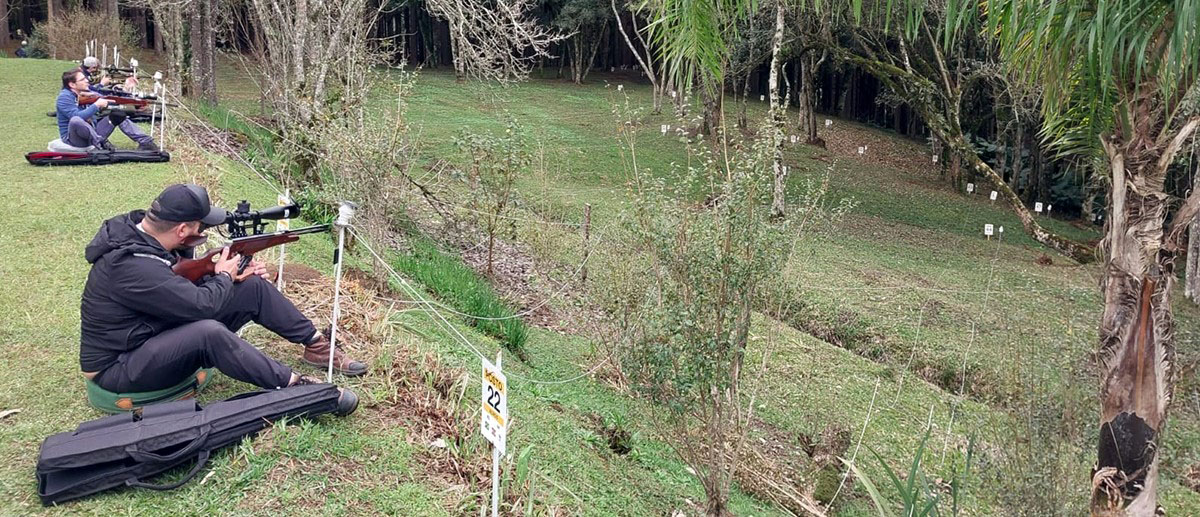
pixel 248 230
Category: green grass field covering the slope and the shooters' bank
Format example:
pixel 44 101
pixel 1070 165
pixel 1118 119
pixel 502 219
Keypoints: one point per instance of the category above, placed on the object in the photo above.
pixel 911 305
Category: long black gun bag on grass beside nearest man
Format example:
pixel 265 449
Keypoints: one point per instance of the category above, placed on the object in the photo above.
pixel 130 448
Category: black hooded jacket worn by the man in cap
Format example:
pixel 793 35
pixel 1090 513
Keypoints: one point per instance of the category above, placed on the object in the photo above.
pixel 133 294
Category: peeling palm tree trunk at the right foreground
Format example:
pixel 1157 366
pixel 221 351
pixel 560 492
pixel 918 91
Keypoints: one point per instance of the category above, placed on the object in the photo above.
pixel 1137 350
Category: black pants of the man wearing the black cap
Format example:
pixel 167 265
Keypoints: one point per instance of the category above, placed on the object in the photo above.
pixel 167 359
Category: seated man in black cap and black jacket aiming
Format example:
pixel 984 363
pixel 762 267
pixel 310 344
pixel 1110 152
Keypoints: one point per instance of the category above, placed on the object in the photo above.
pixel 143 328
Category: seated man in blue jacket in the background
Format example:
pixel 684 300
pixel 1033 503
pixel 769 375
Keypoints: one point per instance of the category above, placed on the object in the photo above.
pixel 79 128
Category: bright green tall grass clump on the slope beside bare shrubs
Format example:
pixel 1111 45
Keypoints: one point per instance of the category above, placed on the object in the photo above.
pixel 464 290
